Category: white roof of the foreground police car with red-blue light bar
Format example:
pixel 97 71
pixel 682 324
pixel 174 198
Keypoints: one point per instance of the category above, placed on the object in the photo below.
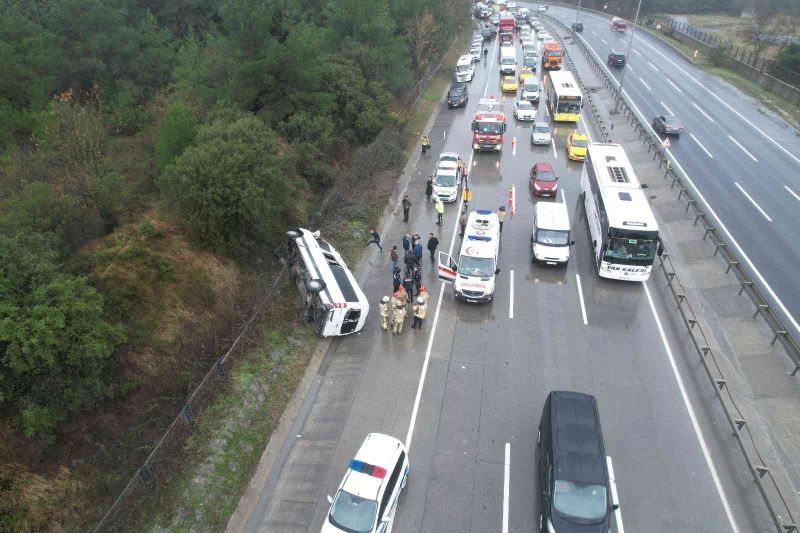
pixel 377 450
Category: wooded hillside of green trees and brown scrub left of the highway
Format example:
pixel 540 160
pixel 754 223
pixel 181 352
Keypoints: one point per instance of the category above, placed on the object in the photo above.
pixel 152 153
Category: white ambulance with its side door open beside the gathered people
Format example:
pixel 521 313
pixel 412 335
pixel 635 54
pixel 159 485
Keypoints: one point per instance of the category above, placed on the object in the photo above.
pixel 473 276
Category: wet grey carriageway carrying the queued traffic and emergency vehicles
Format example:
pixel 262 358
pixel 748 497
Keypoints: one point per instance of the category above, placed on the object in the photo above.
pixel 488 375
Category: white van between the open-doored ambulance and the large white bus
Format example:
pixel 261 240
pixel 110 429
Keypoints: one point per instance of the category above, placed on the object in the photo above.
pixel 550 239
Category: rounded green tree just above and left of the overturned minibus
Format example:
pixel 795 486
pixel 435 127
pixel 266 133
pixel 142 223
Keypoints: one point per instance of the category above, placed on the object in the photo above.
pixel 230 189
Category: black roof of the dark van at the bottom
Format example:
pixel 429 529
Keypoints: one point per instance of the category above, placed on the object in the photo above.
pixel 578 443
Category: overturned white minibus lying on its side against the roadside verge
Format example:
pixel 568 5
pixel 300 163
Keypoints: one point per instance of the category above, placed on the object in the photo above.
pixel 330 296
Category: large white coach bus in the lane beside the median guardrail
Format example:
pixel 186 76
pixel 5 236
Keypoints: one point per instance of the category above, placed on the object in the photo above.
pixel 623 229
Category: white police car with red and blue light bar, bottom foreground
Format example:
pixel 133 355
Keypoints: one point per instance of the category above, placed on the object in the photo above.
pixel 367 497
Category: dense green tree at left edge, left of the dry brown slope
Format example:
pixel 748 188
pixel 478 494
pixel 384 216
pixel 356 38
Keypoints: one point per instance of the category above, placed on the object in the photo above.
pixel 55 344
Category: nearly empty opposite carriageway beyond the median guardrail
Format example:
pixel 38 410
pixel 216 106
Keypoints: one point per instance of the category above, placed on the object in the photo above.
pixel 761 212
